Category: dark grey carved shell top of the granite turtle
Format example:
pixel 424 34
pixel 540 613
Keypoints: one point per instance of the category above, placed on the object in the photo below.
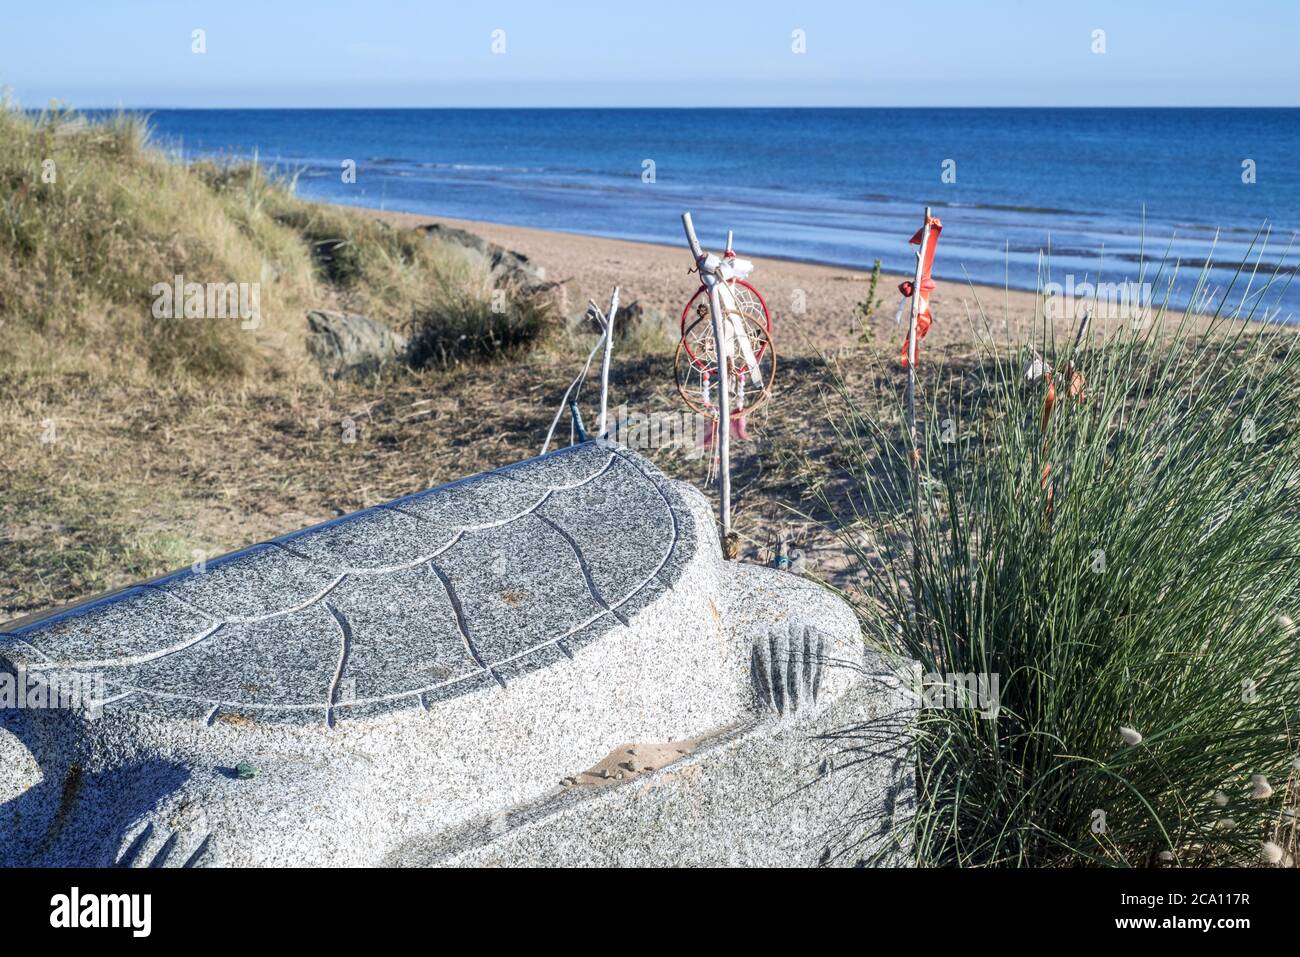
pixel 447 592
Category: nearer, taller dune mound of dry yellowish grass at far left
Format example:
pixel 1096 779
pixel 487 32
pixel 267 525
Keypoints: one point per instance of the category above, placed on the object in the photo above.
pixel 92 218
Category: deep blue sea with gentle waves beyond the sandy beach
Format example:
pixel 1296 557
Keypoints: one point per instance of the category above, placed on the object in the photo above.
pixel 1097 190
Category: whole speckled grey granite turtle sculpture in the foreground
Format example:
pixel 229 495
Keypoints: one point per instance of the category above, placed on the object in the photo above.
pixel 400 685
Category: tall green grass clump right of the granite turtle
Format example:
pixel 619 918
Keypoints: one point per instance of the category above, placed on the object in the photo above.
pixel 1149 583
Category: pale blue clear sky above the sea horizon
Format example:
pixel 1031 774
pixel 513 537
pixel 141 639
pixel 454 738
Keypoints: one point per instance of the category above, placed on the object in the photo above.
pixel 630 53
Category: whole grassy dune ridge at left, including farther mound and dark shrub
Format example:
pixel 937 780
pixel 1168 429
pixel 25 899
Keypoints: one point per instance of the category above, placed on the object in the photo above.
pixel 94 215
